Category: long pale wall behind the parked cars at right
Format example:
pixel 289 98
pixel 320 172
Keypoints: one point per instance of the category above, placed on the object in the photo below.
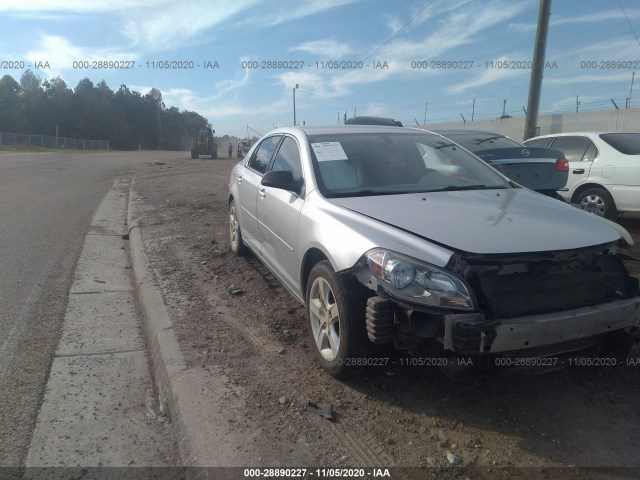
pixel 627 120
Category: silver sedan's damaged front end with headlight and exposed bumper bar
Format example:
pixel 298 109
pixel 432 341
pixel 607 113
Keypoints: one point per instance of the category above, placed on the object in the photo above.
pixel 527 305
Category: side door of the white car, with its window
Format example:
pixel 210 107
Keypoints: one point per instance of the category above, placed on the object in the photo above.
pixel 580 152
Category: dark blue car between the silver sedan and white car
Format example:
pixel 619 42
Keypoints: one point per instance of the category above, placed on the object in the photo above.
pixel 541 169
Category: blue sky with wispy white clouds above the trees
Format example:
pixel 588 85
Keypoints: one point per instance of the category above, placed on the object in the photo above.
pixel 238 62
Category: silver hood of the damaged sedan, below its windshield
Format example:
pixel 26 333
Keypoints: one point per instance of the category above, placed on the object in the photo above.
pixel 488 221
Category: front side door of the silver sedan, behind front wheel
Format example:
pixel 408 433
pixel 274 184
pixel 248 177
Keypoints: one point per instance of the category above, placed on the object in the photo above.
pixel 278 214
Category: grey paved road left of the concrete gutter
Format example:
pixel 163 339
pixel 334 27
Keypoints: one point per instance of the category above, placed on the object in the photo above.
pixel 47 201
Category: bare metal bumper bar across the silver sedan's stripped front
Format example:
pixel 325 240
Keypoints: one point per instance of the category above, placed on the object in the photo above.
pixel 471 333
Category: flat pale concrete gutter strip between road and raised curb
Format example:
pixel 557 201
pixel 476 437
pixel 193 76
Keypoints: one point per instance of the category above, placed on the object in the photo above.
pixel 98 408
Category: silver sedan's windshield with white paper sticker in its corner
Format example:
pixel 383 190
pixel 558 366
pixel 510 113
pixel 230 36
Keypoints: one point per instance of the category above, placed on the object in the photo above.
pixel 357 164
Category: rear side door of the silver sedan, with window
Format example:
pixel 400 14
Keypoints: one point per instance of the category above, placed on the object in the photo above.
pixel 248 183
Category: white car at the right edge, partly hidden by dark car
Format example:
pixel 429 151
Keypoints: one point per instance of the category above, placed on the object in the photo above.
pixel 605 170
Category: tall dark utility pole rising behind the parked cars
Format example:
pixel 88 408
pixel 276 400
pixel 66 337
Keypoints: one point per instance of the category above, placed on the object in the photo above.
pixel 535 85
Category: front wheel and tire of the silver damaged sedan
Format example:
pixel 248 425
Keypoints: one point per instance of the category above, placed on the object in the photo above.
pixel 335 307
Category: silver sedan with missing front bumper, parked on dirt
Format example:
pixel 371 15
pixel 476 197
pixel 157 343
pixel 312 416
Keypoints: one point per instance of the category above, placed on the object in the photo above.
pixel 392 235
